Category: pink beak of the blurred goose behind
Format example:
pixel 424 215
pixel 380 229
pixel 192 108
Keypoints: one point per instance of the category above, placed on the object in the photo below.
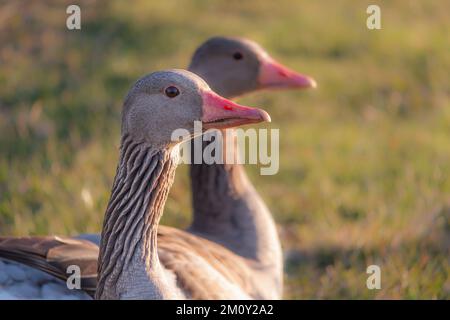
pixel 274 75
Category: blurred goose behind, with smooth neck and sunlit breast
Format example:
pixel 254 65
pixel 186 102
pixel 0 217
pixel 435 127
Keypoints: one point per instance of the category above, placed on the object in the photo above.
pixel 236 216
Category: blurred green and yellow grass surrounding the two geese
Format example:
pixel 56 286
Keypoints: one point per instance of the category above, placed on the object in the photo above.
pixel 365 159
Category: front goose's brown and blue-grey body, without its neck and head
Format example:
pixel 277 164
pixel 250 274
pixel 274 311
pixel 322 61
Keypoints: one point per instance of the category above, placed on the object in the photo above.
pixel 202 268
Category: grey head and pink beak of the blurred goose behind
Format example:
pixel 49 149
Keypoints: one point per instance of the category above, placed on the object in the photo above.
pixel 235 66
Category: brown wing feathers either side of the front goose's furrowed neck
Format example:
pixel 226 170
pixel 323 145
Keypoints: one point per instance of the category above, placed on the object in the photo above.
pixel 176 248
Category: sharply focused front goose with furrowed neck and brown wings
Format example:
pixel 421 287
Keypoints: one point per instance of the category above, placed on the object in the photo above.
pixel 130 265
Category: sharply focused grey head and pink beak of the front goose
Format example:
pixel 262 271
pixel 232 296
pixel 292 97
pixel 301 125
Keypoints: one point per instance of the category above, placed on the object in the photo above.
pixel 165 101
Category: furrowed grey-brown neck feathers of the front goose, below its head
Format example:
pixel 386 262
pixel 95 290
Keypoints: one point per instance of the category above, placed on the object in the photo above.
pixel 143 179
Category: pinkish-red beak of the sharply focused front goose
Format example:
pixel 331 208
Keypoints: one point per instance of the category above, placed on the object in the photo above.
pixel 221 113
